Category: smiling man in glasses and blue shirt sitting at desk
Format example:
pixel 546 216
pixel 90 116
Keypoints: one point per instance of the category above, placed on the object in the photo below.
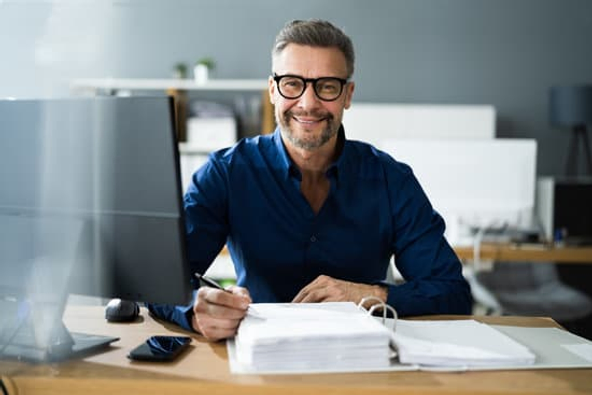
pixel 309 216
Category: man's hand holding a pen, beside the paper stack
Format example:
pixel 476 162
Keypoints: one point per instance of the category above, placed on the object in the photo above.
pixel 217 313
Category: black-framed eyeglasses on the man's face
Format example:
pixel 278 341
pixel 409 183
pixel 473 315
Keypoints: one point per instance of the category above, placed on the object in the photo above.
pixel 293 86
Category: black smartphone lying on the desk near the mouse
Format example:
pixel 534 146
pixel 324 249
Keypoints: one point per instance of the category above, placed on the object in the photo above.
pixel 160 348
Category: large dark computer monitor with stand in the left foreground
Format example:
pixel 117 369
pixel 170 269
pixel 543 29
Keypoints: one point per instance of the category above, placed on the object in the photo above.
pixel 90 203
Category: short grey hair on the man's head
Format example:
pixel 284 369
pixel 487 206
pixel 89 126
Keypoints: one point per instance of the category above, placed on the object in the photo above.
pixel 315 33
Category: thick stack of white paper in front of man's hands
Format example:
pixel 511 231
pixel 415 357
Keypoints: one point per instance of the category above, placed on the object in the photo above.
pixel 311 337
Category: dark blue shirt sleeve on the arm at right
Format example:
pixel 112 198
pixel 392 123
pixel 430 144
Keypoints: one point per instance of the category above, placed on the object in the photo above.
pixel 434 283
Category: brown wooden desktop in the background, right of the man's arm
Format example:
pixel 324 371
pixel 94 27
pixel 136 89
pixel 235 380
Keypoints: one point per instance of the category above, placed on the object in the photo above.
pixel 527 253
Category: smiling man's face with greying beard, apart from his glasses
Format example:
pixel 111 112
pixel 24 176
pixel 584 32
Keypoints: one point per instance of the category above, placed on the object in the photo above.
pixel 309 122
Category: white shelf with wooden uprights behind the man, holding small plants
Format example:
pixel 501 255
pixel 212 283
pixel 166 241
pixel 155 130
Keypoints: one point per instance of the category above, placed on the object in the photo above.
pixel 179 88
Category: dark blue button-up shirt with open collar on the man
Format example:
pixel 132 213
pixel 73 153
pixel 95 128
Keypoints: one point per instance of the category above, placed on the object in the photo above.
pixel 248 197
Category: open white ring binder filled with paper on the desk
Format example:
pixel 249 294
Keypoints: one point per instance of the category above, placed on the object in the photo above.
pixel 336 337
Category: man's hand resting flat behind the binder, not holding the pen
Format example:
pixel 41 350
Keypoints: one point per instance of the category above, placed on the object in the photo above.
pixel 329 289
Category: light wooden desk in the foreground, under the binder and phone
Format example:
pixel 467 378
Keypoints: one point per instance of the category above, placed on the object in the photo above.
pixel 204 370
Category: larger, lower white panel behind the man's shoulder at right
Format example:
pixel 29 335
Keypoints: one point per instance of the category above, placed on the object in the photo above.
pixel 474 184
